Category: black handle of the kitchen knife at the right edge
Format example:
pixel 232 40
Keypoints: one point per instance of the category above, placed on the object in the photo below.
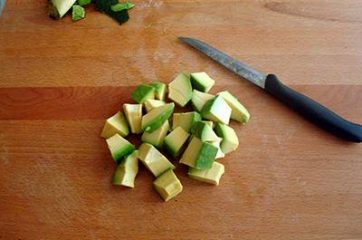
pixel 313 111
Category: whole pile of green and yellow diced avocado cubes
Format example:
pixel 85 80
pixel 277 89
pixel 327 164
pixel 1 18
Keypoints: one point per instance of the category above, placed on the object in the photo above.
pixel 196 138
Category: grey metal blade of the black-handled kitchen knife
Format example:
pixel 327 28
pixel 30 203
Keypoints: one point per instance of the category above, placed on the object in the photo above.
pixel 230 63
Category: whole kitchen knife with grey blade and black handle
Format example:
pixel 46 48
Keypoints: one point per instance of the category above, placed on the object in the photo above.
pixel 307 107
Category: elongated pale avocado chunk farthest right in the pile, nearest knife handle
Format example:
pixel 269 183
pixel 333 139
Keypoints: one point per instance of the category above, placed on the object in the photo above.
pixel 238 111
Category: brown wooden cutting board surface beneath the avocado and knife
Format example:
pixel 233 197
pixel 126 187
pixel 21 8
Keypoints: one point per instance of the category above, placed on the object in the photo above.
pixel 288 180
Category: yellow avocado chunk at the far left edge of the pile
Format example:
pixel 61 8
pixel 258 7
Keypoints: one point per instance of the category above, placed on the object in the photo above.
pixel 115 124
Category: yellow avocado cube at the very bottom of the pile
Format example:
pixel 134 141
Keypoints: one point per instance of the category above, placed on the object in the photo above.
pixel 168 185
